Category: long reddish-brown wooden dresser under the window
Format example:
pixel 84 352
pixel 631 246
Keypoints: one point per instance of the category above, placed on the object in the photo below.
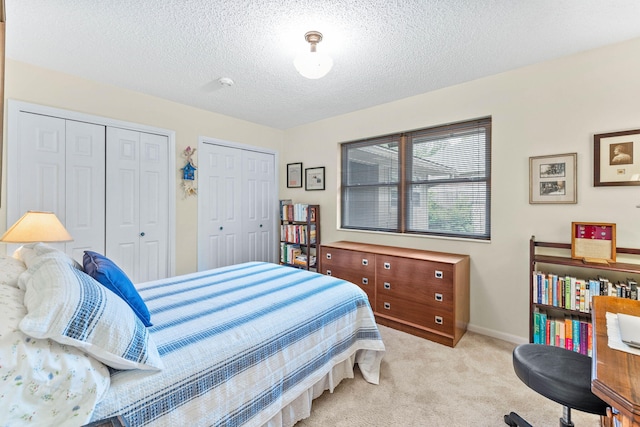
pixel 420 292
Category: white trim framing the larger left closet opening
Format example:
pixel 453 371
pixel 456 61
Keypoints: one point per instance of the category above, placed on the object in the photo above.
pixel 14 107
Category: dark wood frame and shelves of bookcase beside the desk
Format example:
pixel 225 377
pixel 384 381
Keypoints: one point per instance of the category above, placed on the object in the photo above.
pixel 561 262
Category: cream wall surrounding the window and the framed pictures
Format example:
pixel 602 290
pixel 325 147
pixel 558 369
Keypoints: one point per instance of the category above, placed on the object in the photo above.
pixel 550 108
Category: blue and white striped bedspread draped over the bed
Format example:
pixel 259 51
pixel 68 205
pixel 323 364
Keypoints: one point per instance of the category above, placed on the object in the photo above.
pixel 241 342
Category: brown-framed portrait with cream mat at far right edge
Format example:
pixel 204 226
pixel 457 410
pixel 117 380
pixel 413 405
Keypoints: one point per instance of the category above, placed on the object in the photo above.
pixel 616 158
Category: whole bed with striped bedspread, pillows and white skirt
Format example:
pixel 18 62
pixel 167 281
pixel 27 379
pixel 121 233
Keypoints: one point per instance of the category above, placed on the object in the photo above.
pixel 250 344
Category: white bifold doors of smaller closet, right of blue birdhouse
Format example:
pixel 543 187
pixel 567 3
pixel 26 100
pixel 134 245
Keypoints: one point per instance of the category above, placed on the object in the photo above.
pixel 236 206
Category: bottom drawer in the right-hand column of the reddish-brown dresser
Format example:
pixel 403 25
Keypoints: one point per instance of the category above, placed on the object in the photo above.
pixel 415 312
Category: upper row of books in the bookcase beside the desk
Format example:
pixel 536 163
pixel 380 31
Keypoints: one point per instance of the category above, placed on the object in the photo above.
pixel 576 294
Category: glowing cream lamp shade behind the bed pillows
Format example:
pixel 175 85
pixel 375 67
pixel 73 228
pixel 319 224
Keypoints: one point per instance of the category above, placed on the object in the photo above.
pixel 37 226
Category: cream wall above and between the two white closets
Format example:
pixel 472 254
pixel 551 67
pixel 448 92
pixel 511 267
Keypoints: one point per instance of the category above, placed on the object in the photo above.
pixel 40 86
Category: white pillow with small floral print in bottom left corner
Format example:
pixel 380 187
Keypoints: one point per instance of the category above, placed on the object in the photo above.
pixel 43 382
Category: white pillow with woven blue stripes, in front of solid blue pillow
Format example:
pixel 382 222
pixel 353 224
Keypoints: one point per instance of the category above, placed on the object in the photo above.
pixel 70 307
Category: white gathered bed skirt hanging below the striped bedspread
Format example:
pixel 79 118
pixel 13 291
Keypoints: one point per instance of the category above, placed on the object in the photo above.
pixel 300 408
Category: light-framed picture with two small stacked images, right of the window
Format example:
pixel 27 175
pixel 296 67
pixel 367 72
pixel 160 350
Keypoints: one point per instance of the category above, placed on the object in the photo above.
pixel 552 179
